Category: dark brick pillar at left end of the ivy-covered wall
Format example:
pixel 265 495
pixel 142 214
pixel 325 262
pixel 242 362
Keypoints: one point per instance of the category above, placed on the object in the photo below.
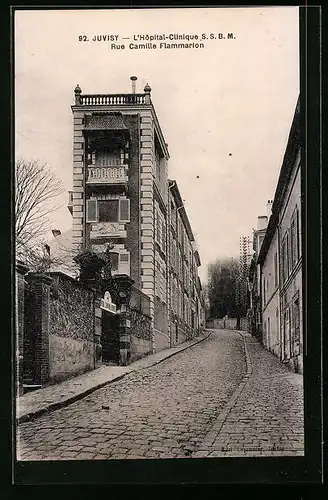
pixel 39 314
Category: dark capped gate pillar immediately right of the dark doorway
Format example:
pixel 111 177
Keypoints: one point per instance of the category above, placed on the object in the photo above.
pixel 124 284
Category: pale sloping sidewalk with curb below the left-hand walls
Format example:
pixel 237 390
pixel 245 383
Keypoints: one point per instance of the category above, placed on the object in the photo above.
pixel 56 396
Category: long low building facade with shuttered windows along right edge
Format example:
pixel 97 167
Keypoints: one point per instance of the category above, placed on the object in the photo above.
pixel 280 261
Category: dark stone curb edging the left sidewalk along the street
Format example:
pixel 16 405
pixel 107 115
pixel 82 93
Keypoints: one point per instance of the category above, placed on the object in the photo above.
pixel 76 397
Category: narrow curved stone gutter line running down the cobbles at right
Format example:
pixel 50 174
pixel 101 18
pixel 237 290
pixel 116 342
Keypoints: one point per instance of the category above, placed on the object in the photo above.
pixel 216 428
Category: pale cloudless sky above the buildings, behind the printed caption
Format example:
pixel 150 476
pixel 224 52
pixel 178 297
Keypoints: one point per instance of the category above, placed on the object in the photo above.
pixel 225 110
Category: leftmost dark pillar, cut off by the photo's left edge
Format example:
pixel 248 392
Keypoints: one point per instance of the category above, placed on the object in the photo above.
pixel 21 270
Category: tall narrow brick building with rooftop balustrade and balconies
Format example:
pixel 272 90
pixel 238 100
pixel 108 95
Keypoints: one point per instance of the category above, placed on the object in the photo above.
pixel 122 204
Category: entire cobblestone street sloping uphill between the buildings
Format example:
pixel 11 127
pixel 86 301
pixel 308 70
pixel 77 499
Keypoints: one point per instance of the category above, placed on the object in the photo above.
pixel 204 401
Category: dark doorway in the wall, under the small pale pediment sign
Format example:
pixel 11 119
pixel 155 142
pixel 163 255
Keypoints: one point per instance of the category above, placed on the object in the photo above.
pixel 110 337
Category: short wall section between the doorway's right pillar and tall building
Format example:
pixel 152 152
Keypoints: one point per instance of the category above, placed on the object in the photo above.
pixel 140 334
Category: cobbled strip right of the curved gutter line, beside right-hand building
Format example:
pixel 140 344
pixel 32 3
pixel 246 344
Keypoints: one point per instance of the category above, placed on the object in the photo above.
pixel 255 411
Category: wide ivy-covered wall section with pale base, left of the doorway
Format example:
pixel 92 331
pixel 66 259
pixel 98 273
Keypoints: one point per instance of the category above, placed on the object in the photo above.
pixel 71 328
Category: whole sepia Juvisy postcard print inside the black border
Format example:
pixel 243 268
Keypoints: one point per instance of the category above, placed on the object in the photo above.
pixel 159 267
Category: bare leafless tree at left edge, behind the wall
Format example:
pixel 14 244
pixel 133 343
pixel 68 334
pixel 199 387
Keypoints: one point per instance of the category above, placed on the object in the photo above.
pixel 36 188
